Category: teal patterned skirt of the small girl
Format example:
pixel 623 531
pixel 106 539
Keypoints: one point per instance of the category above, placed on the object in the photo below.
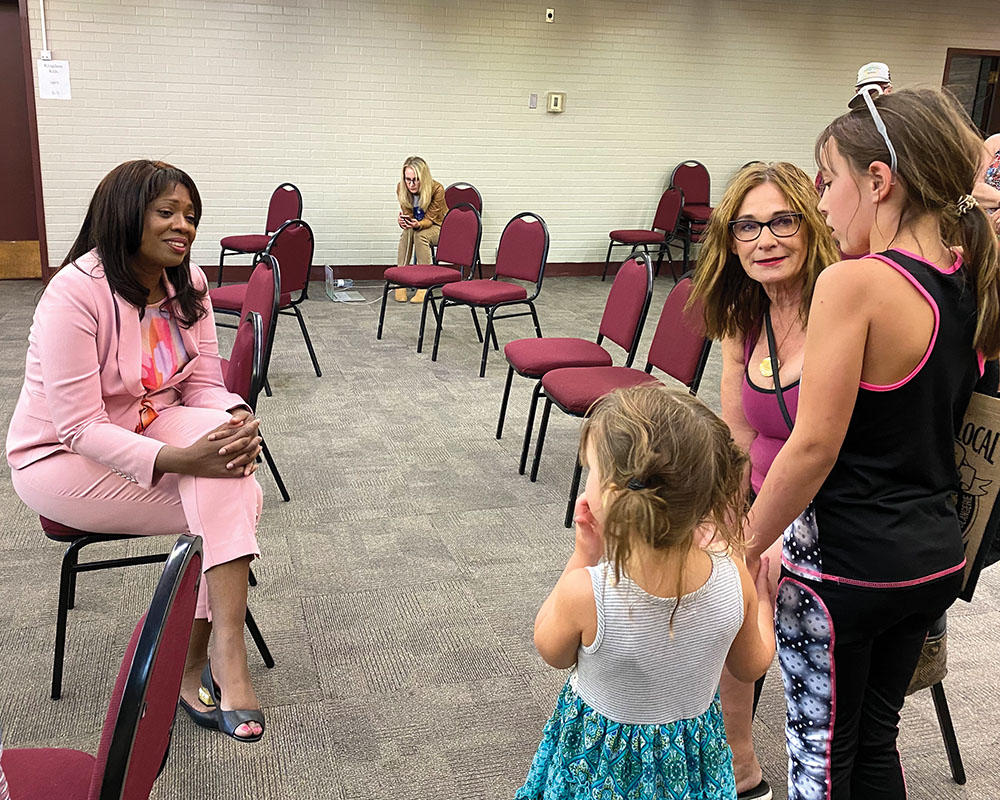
pixel 585 756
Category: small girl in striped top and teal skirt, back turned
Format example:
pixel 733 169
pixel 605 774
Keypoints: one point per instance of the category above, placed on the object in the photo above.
pixel 648 609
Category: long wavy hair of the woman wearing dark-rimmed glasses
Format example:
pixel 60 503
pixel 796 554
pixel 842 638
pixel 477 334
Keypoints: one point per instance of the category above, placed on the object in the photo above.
pixel 734 302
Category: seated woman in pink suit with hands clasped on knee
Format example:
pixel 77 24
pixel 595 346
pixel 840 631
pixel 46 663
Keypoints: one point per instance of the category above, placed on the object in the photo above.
pixel 124 425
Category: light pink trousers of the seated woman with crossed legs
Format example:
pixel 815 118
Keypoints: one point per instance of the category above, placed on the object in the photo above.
pixel 86 495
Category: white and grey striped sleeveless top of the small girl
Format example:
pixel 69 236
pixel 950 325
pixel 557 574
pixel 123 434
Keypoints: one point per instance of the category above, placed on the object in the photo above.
pixel 635 672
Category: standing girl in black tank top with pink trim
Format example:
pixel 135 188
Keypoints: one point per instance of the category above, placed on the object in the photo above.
pixel 862 490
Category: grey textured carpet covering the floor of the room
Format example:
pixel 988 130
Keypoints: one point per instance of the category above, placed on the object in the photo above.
pixel 398 587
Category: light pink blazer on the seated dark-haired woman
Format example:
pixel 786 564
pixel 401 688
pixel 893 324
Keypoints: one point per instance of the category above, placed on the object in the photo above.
pixel 82 389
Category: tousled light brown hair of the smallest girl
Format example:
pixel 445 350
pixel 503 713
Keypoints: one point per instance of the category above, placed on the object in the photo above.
pixel 668 465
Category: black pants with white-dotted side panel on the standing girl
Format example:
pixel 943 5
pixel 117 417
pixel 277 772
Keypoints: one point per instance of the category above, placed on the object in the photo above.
pixel 847 656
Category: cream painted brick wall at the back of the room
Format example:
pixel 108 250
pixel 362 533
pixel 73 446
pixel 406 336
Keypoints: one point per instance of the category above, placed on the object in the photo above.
pixel 332 95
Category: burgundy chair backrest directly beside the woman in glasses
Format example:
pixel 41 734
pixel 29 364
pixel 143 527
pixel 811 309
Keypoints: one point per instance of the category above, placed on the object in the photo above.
pixel 680 347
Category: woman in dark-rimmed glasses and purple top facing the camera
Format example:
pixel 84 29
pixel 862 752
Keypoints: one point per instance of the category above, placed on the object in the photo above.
pixel 764 248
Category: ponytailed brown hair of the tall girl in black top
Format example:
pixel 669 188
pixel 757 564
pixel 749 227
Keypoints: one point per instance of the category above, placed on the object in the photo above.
pixel 939 159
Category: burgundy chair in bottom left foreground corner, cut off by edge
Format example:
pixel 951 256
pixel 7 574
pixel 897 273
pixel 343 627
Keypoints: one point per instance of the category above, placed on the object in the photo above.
pixel 136 736
